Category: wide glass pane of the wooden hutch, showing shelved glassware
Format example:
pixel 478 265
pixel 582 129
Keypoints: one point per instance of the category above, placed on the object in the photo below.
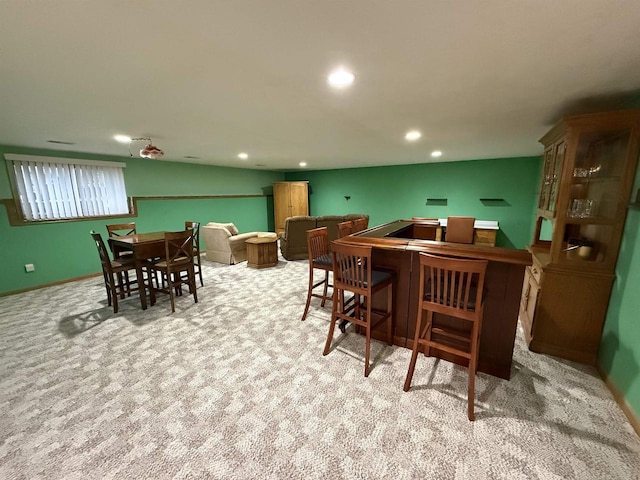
pixel 595 196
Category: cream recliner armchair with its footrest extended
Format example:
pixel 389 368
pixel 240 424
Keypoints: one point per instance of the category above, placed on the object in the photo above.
pixel 224 244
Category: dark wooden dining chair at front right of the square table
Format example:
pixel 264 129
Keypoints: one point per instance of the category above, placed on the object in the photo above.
pixel 178 259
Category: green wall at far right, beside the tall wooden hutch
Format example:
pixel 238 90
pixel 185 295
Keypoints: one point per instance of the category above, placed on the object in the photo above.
pixel 619 354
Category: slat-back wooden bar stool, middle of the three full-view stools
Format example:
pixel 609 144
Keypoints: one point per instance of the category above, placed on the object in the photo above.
pixel 352 272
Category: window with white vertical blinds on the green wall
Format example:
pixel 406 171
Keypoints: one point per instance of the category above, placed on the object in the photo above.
pixel 61 188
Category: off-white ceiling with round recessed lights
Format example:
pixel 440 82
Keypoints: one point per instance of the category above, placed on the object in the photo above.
pixel 212 78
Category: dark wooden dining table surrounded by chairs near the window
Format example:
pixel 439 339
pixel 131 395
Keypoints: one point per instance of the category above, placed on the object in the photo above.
pixel 143 246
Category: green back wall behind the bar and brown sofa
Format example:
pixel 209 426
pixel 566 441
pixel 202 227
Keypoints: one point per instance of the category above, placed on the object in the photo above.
pixel 389 193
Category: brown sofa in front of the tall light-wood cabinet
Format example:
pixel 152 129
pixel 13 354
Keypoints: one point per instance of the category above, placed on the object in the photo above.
pixel 293 241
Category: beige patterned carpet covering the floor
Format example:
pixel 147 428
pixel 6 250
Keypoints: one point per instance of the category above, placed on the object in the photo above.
pixel 235 387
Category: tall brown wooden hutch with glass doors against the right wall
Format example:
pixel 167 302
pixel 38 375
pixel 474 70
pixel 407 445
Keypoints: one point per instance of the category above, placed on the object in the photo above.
pixel 588 172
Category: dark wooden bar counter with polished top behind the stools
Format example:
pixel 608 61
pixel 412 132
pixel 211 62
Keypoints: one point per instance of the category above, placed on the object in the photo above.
pixel 395 248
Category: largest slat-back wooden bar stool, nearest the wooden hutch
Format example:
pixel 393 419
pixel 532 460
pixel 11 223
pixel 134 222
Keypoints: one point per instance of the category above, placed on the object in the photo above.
pixel 452 287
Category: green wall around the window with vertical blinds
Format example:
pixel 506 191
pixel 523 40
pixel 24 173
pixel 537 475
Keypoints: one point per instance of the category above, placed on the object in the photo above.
pixel 64 250
